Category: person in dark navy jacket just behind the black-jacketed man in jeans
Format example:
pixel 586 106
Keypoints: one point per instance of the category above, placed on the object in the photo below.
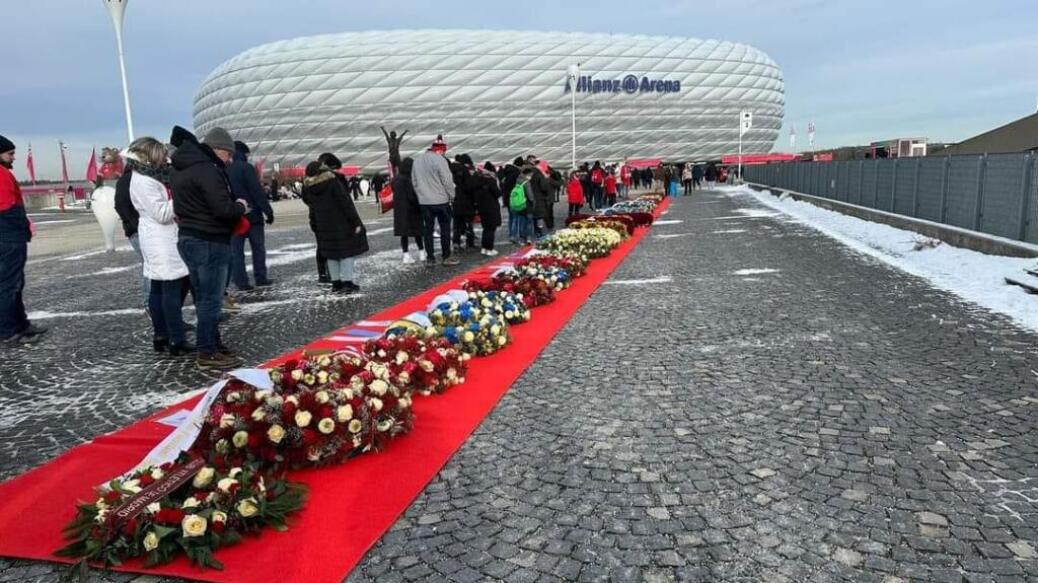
pixel 245 185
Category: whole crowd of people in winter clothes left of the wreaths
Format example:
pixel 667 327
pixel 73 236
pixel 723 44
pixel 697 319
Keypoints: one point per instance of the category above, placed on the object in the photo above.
pixel 190 207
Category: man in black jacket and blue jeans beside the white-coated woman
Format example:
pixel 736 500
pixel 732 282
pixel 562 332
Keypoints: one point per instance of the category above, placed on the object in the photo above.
pixel 208 215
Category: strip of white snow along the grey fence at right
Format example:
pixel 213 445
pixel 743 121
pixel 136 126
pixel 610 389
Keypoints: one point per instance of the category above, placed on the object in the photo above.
pixel 976 277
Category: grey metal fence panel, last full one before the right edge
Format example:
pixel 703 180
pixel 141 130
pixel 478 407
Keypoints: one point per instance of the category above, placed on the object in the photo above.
pixel 1003 193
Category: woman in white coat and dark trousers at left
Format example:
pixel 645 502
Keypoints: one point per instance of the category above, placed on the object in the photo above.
pixel 157 234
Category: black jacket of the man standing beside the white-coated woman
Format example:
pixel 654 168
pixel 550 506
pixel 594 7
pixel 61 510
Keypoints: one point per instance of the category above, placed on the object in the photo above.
pixel 203 200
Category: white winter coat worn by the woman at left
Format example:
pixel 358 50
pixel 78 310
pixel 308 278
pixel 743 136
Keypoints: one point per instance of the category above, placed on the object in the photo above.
pixel 157 230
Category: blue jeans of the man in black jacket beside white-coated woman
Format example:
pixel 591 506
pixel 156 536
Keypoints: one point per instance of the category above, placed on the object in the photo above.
pixel 207 264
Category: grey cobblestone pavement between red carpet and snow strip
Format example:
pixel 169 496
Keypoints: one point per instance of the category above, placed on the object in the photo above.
pixel 747 401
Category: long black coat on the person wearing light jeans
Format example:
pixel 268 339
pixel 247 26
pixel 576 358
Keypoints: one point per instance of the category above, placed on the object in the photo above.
pixel 335 218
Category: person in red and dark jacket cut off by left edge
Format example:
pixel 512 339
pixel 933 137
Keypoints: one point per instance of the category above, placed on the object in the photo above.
pixel 16 234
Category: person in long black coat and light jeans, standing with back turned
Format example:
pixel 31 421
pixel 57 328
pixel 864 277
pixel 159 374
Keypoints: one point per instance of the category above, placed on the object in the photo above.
pixel 338 228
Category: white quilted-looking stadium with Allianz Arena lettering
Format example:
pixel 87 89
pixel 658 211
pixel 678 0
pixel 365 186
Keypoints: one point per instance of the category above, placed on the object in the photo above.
pixel 495 95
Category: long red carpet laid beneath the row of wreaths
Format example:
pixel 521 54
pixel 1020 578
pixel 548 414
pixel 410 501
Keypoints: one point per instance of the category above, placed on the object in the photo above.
pixel 350 507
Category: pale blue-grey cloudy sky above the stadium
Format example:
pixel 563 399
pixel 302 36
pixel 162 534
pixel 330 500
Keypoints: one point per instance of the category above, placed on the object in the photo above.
pixel 861 71
